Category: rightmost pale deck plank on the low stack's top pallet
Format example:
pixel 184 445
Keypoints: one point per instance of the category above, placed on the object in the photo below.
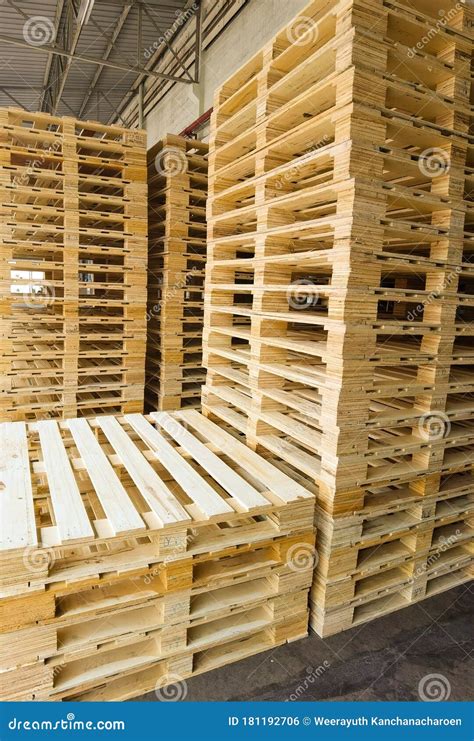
pixel 277 481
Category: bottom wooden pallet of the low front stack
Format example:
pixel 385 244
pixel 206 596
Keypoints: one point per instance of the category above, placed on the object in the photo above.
pixel 126 672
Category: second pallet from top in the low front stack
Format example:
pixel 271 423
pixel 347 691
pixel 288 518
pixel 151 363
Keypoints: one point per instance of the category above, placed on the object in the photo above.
pixel 179 577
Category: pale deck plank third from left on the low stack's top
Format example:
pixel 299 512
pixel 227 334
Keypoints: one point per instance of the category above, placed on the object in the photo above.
pixel 121 513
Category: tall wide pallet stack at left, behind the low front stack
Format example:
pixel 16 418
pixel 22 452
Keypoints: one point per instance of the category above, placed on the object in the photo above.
pixel 72 268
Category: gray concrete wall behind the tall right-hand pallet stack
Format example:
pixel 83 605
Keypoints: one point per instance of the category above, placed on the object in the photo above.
pixel 256 23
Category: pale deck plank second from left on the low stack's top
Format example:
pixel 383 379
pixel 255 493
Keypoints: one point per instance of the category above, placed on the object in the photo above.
pixel 69 511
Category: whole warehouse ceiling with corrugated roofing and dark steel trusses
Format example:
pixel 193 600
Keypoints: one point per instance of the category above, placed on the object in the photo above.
pixel 88 58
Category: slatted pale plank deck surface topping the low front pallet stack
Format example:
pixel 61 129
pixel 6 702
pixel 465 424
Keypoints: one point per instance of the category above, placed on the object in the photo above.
pixel 84 480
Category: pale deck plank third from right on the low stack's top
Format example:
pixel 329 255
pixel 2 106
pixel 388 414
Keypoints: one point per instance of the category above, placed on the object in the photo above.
pixel 207 499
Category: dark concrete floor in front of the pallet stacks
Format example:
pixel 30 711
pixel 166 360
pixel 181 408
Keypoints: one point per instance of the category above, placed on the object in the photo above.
pixel 383 660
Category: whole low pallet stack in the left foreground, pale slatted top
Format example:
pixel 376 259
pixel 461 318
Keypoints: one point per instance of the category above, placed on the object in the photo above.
pixel 138 551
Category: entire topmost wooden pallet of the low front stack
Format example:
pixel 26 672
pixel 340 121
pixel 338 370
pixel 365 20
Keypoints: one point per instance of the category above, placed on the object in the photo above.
pixel 172 495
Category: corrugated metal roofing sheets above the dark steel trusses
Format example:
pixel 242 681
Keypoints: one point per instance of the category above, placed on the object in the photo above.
pixel 27 71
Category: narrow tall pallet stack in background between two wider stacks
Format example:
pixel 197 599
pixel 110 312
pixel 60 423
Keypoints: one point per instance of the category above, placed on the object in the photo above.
pixel 177 181
